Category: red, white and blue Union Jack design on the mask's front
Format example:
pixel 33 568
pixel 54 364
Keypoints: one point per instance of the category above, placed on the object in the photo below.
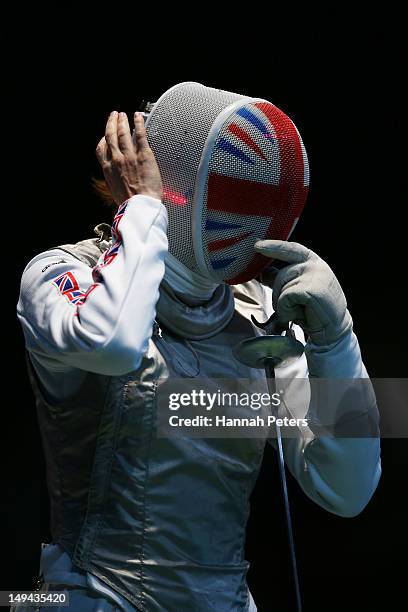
pixel 257 187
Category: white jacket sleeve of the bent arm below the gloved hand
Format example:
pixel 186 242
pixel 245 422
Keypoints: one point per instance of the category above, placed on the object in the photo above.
pixel 339 473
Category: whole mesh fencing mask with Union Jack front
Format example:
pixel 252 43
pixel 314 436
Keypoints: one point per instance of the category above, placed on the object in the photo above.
pixel 234 170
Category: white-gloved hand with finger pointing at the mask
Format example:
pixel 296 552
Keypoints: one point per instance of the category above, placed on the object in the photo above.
pixel 307 292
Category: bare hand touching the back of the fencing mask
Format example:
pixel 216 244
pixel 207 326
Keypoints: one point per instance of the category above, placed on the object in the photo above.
pixel 128 165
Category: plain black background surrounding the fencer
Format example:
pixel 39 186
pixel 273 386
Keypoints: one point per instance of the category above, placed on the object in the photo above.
pixel 340 82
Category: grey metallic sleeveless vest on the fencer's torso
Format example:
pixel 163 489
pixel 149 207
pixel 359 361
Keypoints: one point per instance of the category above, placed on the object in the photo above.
pixel 162 521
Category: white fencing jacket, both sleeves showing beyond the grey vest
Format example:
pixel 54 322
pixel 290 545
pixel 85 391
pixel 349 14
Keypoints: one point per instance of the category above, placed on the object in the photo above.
pixel 77 319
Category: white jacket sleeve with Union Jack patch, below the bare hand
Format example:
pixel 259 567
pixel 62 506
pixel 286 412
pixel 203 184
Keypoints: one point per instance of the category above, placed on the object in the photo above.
pixel 97 319
